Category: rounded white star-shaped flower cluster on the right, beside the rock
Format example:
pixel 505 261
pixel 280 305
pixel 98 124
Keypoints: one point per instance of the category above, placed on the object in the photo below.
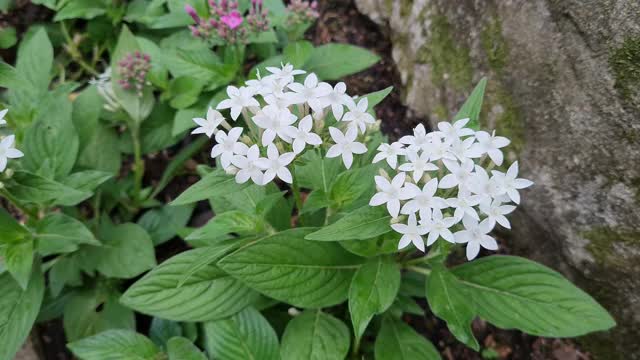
pixel 443 185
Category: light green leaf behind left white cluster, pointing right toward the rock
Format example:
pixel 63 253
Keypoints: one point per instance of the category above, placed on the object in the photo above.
pixel 328 61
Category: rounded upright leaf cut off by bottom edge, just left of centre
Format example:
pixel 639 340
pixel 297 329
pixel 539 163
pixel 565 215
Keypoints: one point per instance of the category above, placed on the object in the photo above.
pixel 314 335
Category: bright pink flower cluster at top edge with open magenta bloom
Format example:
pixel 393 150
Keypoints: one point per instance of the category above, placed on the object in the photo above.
pixel 227 23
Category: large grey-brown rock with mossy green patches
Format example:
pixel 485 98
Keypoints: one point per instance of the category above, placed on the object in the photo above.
pixel 564 85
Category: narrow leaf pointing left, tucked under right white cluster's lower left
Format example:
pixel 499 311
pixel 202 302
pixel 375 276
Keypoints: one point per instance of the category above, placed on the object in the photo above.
pixel 365 223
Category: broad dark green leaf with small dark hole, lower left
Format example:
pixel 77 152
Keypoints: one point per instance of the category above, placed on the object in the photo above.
pixel 89 312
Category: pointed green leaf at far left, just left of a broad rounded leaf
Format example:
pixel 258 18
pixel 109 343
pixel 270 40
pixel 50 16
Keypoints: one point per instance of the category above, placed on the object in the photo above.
pixel 58 233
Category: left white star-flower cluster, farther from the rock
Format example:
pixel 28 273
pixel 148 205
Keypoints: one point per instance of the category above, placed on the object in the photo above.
pixel 283 118
